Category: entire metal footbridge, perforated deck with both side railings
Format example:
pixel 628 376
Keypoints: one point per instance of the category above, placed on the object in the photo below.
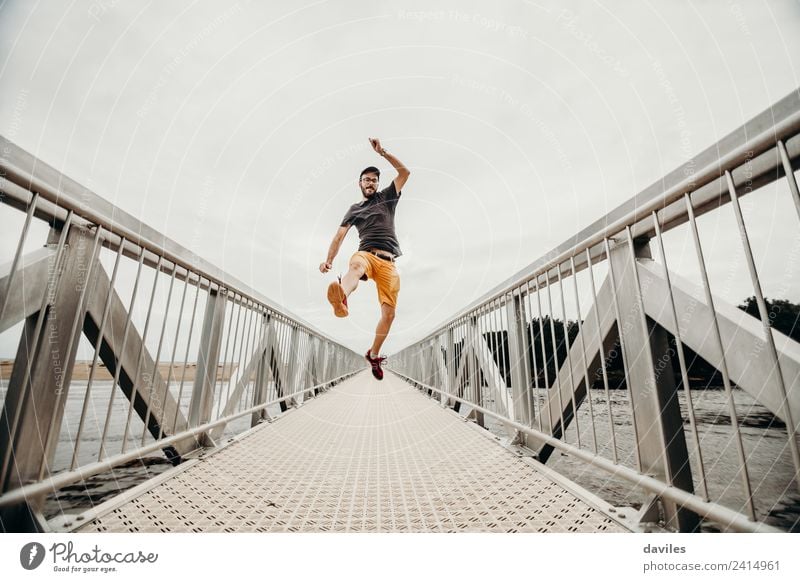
pixel 601 389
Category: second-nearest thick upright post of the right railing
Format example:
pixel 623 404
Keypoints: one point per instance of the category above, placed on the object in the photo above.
pixel 518 350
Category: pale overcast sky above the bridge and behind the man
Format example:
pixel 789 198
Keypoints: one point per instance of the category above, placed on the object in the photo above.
pixel 239 129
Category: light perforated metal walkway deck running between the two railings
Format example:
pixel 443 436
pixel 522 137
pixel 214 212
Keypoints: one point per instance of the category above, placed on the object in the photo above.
pixel 368 456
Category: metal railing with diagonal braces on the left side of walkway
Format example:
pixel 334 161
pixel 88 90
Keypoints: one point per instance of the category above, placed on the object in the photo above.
pixel 176 355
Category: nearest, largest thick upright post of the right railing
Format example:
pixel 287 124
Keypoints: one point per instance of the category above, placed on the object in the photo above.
pixel 657 420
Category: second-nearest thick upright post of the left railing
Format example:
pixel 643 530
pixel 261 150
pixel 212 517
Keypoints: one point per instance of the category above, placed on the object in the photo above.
pixel 205 379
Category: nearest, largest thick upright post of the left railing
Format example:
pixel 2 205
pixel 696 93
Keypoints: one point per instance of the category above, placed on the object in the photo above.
pixel 40 380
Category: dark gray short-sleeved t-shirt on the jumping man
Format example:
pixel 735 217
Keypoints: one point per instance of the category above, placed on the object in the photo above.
pixel 374 220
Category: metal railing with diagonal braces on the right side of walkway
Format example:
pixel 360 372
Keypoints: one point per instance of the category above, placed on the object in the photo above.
pixel 658 391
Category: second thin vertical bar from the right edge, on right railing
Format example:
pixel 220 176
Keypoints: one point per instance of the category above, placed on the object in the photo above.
pixel 767 328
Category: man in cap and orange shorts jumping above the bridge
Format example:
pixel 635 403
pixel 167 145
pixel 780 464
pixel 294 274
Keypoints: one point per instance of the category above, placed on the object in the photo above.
pixel 378 248
